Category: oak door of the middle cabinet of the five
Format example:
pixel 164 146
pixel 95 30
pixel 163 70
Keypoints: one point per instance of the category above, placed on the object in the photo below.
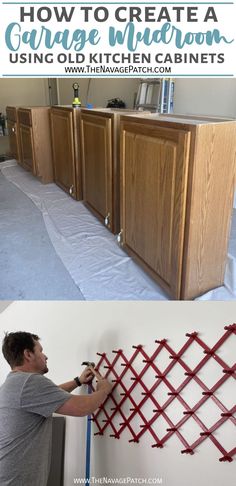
pixel 63 150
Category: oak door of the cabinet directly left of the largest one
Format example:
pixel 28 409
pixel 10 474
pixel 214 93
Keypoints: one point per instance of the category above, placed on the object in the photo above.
pixel 97 165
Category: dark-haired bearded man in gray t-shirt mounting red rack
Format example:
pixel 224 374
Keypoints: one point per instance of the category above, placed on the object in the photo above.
pixel 27 402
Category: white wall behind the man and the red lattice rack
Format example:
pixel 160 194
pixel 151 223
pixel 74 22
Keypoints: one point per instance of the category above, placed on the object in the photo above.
pixel 72 332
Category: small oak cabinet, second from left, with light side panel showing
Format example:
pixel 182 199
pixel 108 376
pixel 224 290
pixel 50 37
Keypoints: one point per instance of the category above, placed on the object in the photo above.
pixel 35 141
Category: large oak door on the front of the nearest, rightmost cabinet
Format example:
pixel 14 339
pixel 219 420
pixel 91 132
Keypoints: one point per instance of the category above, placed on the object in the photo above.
pixel 153 199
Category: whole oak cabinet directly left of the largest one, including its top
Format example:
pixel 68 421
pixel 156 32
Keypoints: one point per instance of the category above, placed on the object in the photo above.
pixel 100 152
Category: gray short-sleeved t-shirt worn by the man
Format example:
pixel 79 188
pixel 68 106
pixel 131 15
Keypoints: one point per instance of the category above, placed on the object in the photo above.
pixel 27 402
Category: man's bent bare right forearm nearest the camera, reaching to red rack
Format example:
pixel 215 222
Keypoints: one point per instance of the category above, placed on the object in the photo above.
pixel 79 406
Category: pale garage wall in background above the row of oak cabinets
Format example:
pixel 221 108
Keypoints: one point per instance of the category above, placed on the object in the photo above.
pixel 193 96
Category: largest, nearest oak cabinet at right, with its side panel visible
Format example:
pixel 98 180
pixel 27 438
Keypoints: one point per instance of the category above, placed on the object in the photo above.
pixel 177 183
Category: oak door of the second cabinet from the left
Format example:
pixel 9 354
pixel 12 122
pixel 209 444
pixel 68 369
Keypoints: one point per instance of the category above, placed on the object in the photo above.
pixel 27 148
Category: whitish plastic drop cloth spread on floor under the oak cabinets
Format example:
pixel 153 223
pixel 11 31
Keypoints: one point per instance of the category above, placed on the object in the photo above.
pixel 98 266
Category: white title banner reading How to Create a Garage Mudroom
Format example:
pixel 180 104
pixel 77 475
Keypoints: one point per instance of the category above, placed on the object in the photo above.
pixel 117 39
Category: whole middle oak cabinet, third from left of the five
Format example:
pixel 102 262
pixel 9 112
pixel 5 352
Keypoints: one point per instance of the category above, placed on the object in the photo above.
pixel 66 149
